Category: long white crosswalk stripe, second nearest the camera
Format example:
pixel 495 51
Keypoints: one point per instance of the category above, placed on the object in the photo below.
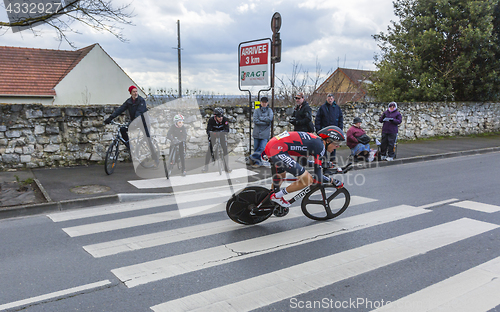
pixel 266 289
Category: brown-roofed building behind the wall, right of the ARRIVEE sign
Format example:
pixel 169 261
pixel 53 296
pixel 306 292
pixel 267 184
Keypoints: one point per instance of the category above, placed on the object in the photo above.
pixel 348 85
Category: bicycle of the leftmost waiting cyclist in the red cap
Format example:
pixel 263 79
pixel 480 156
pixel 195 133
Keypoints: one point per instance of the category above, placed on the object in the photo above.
pixel 145 150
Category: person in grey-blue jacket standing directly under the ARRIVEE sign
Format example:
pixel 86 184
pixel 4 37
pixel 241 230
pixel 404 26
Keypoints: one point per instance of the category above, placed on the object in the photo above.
pixel 262 118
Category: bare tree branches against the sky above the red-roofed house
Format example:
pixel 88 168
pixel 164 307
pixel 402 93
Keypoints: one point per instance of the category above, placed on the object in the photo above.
pixel 97 14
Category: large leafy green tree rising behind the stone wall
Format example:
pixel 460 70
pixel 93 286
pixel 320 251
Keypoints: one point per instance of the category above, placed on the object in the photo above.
pixel 444 50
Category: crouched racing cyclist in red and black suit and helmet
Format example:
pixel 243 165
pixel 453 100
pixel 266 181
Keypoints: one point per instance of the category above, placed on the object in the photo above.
pixel 280 149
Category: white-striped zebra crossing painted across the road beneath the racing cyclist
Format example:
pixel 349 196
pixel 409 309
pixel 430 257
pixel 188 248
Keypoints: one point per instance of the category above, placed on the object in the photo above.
pixel 474 289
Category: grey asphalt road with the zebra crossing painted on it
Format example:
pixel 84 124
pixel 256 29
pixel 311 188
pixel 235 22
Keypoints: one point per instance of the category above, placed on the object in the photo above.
pixel 424 235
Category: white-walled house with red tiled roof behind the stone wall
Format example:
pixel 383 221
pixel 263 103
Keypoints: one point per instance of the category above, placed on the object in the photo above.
pixel 88 76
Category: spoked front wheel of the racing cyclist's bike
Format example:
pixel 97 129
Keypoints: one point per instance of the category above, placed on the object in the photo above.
pixel 325 203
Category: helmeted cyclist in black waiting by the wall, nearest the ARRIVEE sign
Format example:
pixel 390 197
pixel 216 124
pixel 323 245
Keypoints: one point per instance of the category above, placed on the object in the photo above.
pixel 217 123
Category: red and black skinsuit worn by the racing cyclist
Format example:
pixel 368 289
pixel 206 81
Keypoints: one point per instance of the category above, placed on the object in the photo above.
pixel 302 144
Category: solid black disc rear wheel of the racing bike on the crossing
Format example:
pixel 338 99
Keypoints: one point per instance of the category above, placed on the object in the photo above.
pixel 240 207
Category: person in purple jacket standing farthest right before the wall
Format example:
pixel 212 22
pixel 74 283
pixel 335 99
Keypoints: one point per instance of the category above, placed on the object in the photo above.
pixel 391 119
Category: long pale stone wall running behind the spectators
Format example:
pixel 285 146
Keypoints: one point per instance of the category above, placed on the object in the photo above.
pixel 35 136
